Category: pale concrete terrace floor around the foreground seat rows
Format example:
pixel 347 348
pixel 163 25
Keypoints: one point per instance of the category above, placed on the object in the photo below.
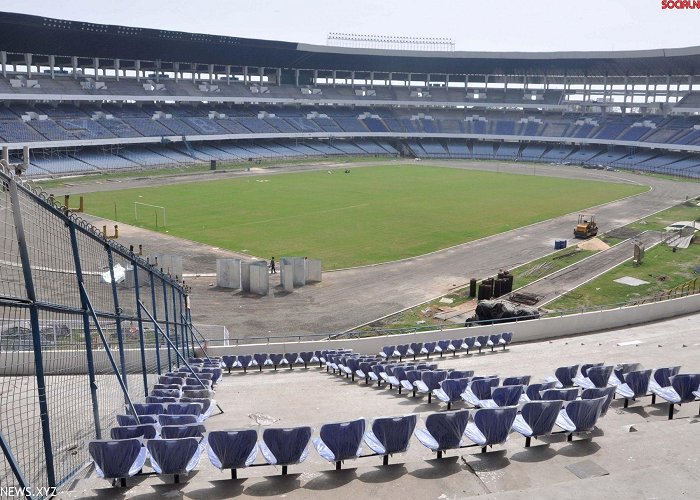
pixel 658 459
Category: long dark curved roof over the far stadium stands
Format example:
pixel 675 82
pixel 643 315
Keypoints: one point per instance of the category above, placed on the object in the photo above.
pixel 40 35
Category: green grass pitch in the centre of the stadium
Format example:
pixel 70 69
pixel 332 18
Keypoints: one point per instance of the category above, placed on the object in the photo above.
pixel 372 214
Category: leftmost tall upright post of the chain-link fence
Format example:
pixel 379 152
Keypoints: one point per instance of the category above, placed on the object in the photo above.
pixel 36 335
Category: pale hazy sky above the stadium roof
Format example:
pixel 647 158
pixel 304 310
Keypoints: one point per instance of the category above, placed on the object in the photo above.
pixel 495 25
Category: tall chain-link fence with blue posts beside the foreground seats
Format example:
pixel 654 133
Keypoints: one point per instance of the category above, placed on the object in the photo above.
pixel 85 327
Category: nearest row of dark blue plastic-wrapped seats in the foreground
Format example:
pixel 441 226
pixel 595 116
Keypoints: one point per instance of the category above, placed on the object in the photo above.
pixel 234 449
